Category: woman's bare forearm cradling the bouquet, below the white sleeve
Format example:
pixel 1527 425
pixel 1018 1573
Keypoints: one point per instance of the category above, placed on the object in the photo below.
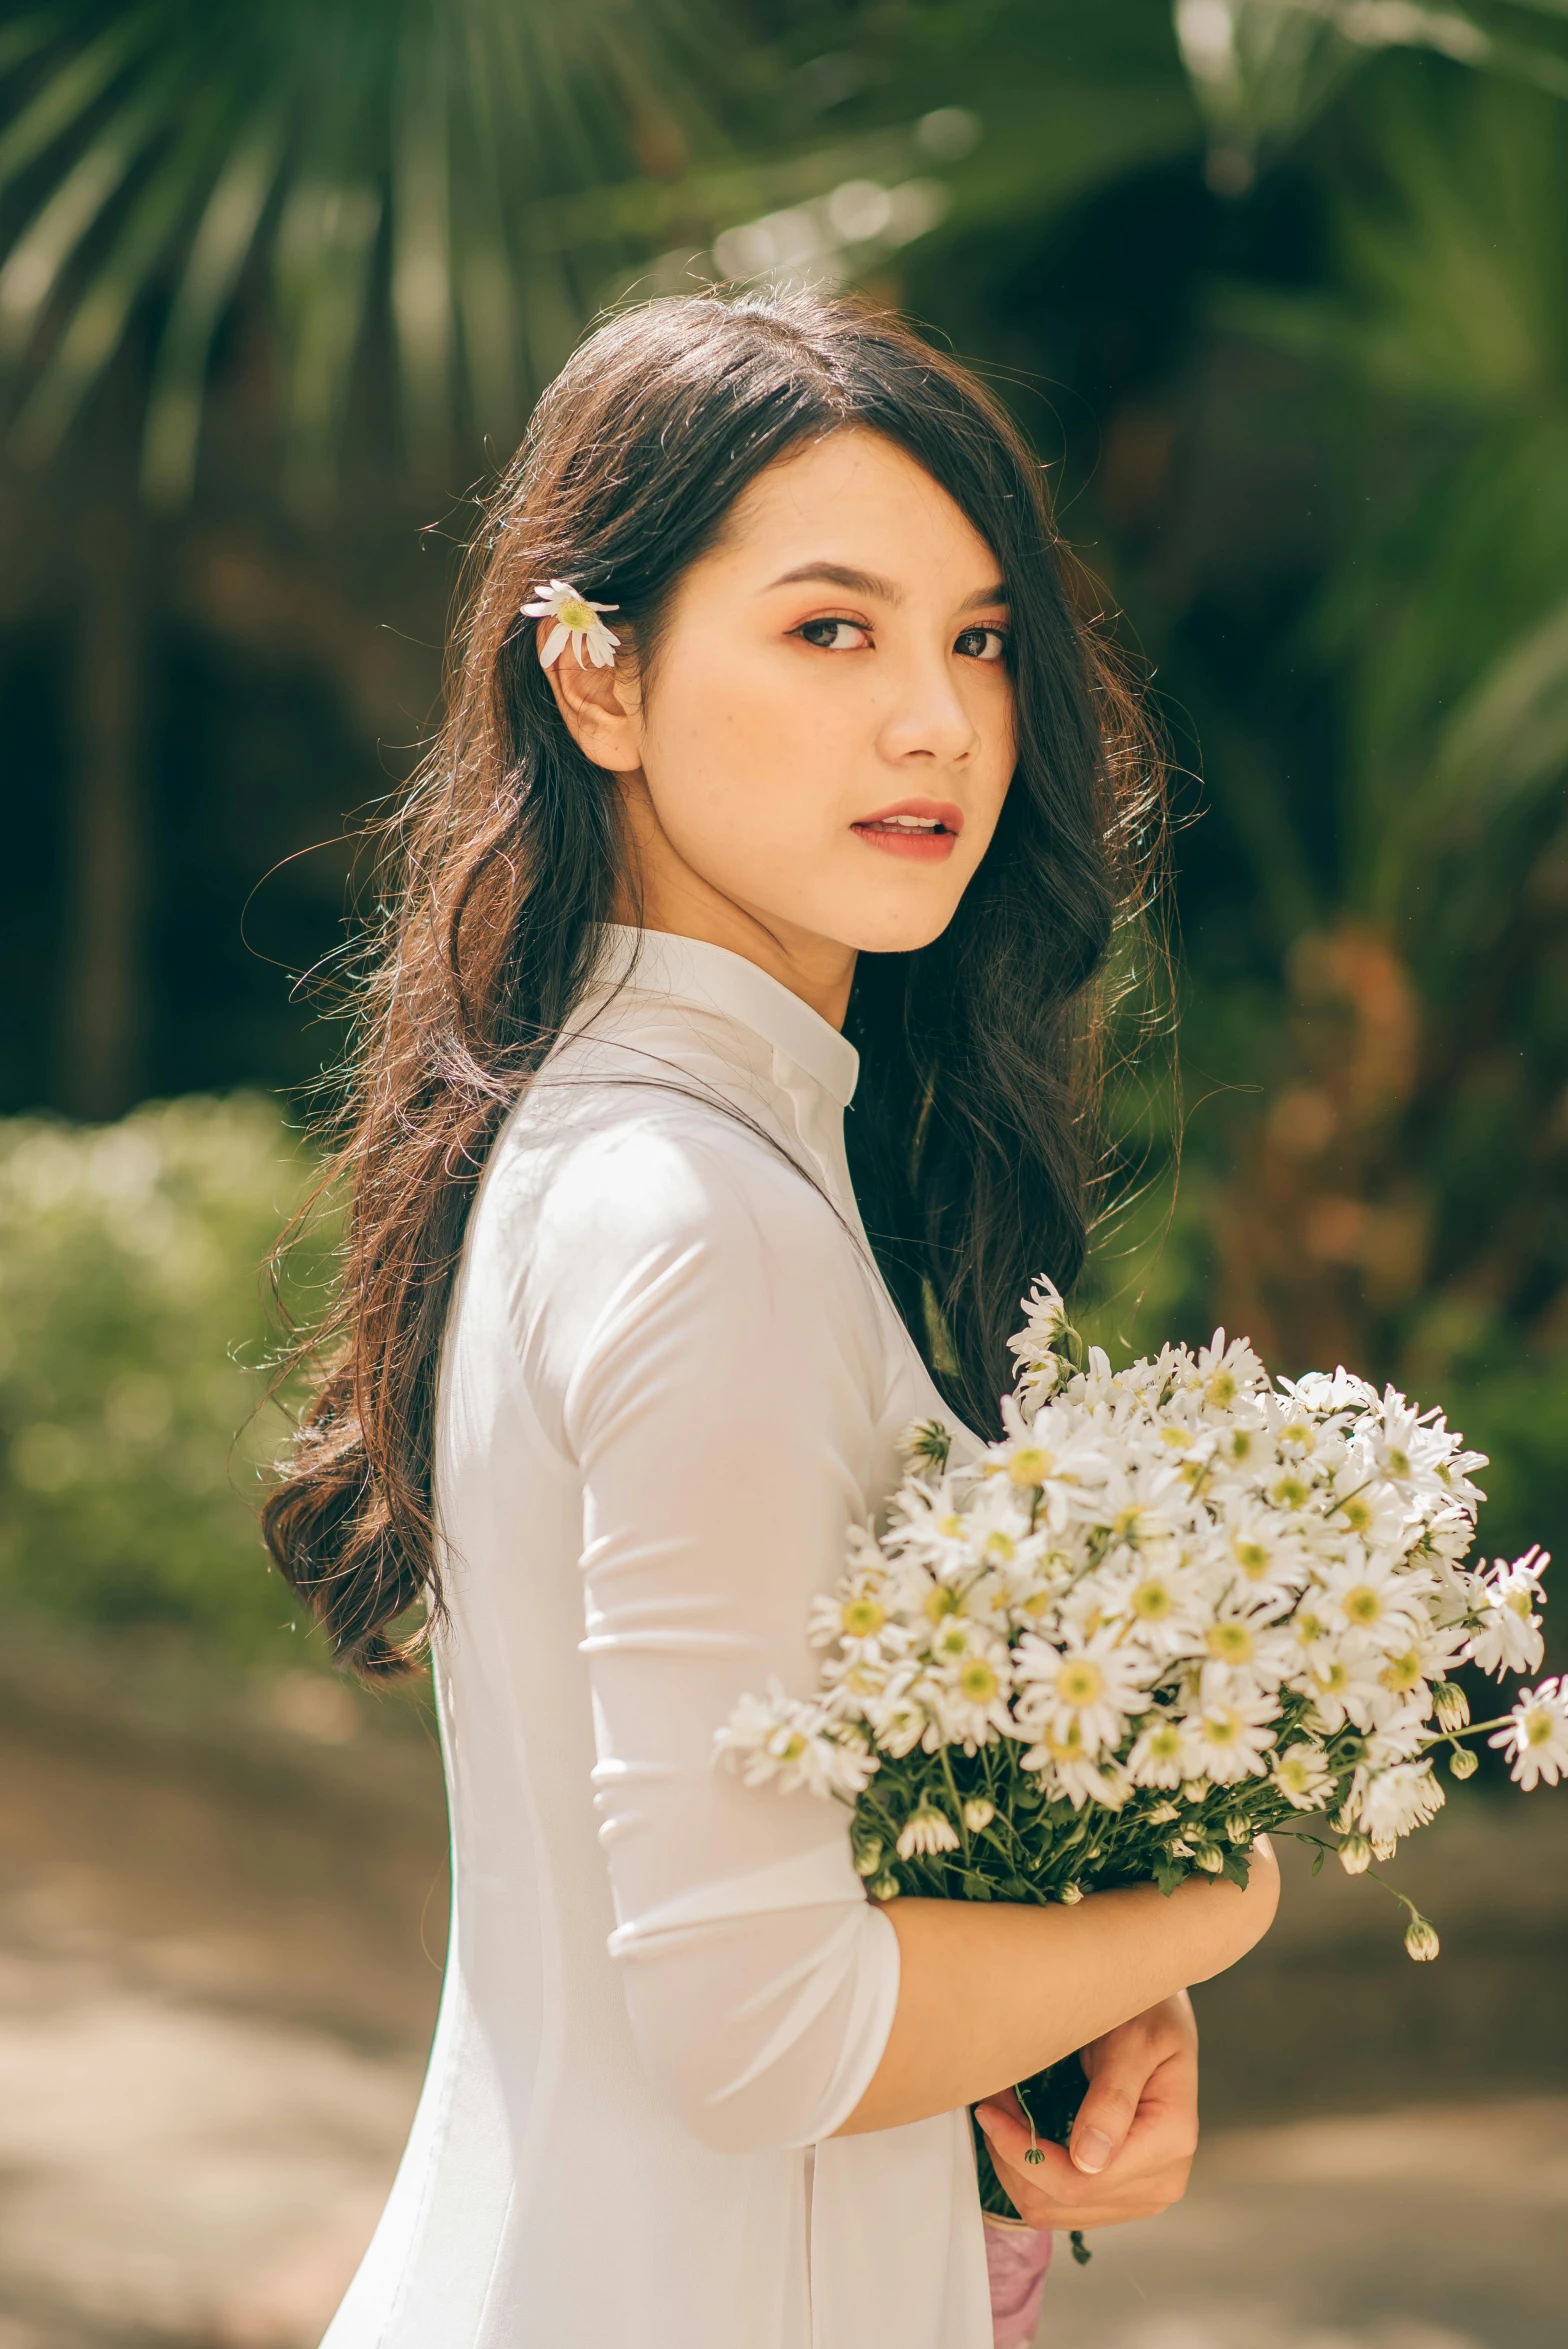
pixel 992 1993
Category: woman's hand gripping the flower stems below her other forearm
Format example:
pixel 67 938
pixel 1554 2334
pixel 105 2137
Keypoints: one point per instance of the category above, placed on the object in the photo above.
pixel 1133 2141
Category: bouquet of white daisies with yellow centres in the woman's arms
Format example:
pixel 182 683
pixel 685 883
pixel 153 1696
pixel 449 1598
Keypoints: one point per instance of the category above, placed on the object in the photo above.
pixel 1175 1608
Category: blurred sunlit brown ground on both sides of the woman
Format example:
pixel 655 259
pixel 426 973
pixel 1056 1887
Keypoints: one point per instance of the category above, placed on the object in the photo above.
pixel 219 1967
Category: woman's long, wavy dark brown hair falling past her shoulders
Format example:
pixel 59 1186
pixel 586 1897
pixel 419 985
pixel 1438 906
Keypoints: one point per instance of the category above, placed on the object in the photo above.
pixel 968 1136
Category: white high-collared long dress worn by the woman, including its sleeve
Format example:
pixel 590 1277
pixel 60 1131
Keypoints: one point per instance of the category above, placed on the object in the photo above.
pixel 673 1380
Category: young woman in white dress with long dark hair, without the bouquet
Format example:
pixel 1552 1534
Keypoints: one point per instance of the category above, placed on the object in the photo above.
pixel 823 814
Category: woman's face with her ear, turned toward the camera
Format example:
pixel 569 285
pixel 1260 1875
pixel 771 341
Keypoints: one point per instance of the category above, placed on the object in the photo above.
pixel 827 734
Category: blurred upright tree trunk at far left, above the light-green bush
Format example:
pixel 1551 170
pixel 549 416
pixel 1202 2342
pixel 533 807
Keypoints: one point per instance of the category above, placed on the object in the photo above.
pixel 104 1009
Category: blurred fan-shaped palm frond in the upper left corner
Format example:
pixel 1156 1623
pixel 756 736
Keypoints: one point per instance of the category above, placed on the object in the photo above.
pixel 365 156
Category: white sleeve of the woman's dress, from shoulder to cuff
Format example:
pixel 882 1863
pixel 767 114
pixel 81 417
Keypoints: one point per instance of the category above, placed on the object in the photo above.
pixel 698 1338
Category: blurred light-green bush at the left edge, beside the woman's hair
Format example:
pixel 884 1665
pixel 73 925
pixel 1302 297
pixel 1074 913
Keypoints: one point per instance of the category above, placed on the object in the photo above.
pixel 133 1387
